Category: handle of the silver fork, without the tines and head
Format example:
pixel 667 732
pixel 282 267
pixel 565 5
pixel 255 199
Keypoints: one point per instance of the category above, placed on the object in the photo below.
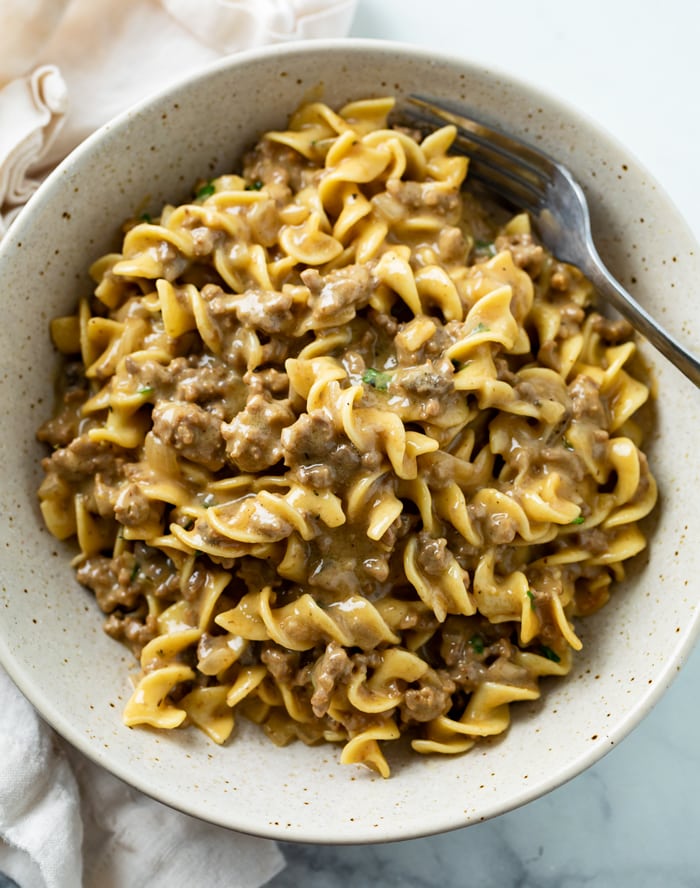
pixel 633 312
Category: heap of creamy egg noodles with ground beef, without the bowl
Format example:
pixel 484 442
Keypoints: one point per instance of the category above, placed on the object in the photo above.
pixel 342 454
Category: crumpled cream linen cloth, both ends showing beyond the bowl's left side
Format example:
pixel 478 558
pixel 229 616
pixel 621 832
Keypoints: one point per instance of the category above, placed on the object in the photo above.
pixel 66 67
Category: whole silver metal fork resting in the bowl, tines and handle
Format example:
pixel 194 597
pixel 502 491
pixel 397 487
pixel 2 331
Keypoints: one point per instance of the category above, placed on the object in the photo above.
pixel 531 180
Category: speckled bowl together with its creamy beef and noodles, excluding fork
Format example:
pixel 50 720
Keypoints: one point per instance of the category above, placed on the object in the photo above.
pixel 331 480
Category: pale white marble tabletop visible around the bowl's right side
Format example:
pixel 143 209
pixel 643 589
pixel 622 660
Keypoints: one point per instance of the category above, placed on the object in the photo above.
pixel 632 820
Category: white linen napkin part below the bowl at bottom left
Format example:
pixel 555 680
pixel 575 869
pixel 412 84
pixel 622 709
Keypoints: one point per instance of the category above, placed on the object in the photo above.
pixel 66 822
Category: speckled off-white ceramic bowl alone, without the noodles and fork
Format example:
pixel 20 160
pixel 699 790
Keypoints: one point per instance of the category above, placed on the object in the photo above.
pixel 51 638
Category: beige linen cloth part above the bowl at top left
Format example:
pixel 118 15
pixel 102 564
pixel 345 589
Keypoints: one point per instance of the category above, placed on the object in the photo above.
pixel 68 66
